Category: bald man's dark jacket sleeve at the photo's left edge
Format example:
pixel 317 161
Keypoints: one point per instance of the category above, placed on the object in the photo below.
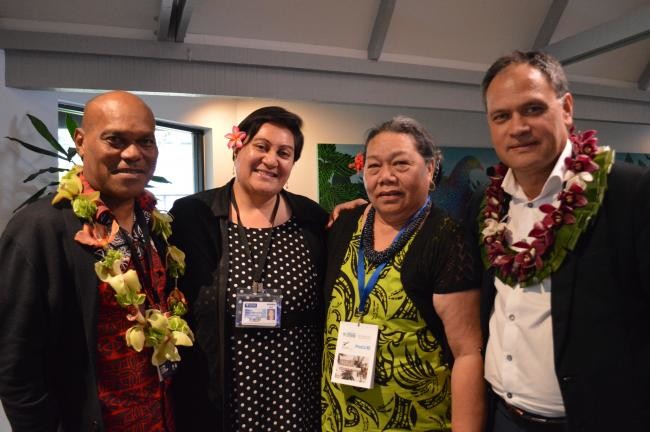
pixel 25 326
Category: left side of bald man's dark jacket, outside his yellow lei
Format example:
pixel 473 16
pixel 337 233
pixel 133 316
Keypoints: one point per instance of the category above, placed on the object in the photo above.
pixel 48 310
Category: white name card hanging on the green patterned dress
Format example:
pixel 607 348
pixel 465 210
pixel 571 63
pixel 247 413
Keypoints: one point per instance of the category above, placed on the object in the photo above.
pixel 354 358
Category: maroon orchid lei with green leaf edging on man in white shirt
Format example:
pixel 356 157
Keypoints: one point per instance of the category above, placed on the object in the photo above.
pixel 527 263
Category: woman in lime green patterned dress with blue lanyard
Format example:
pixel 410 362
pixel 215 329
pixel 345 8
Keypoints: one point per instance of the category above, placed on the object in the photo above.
pixel 418 286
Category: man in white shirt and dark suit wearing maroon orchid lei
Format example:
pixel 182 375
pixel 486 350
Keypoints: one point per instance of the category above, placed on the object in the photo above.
pixel 566 241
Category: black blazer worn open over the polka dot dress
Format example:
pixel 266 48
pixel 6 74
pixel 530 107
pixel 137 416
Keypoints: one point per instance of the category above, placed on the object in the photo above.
pixel 200 230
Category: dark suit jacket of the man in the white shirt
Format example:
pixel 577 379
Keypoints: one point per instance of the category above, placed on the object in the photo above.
pixel 600 307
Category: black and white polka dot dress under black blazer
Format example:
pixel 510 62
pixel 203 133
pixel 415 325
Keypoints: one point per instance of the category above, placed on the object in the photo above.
pixel 275 373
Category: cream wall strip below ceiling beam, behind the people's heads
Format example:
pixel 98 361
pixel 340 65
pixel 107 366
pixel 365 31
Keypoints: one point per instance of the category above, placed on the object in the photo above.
pixel 342 124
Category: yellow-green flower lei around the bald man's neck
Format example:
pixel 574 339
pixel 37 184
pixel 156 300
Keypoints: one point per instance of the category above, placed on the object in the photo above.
pixel 162 329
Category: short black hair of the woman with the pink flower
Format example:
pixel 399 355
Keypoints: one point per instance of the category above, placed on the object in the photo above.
pixel 278 116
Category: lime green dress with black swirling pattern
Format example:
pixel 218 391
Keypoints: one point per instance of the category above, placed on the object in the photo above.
pixel 412 383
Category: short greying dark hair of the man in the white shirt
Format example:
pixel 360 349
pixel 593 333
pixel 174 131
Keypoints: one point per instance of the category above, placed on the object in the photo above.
pixel 542 61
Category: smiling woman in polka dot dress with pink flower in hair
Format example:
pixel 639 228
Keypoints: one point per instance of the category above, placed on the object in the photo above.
pixel 237 377
